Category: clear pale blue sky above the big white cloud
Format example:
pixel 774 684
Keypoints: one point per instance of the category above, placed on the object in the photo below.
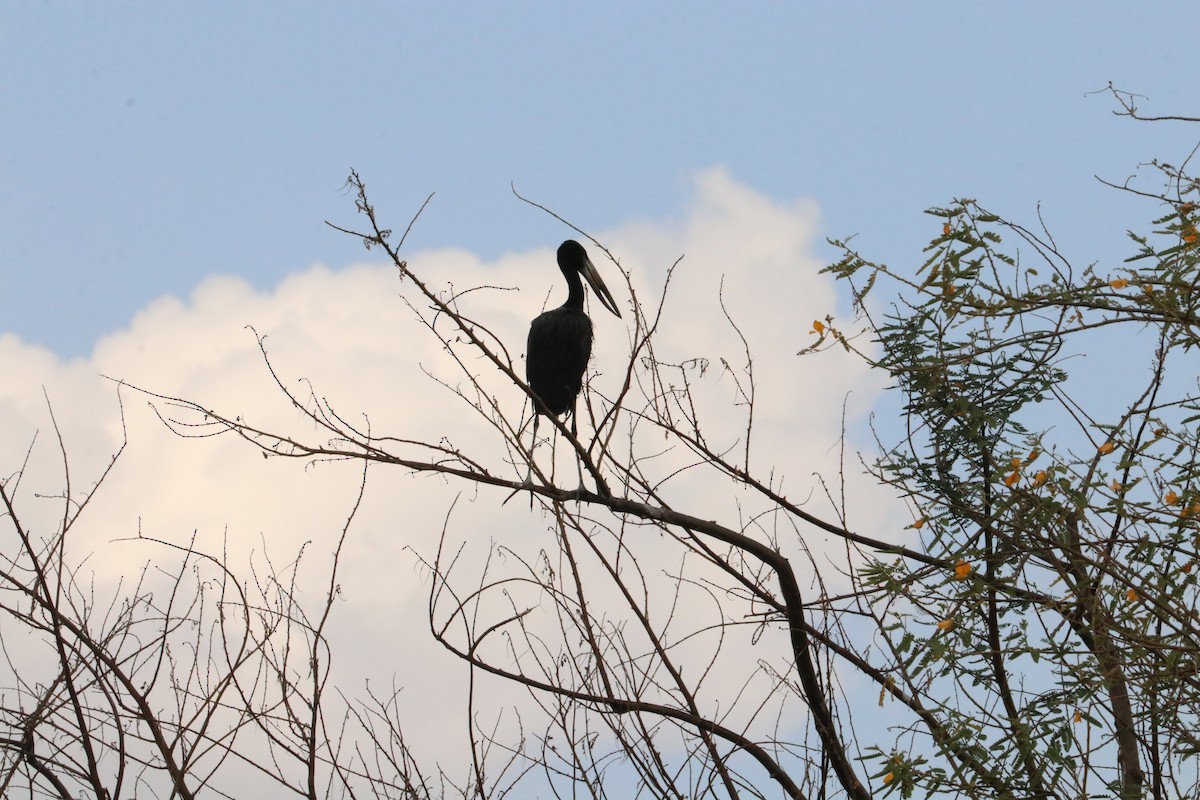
pixel 147 146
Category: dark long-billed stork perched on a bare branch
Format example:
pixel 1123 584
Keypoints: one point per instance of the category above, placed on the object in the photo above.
pixel 560 344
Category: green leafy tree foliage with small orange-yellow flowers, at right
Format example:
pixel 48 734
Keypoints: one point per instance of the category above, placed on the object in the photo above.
pixel 1065 641
